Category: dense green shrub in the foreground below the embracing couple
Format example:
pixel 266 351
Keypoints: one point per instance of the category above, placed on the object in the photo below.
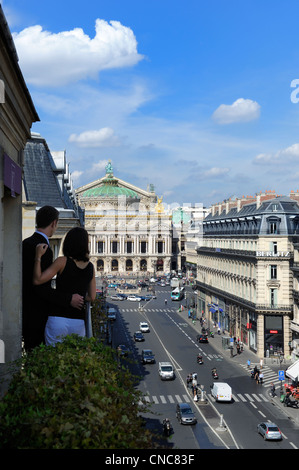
pixel 72 396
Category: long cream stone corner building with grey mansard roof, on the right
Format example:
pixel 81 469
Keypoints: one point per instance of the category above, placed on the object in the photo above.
pixel 245 270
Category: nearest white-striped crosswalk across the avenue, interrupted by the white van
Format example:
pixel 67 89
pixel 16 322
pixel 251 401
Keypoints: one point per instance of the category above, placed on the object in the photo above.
pixel 174 399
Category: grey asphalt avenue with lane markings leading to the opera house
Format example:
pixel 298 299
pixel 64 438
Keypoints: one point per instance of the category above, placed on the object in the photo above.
pixel 220 425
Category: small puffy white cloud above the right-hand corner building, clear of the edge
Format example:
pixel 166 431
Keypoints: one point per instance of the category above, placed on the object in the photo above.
pixel 241 110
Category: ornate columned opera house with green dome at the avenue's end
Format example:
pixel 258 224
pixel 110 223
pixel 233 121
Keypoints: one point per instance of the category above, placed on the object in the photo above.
pixel 129 231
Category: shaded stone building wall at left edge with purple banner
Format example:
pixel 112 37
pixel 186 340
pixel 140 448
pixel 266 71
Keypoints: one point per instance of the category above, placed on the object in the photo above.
pixel 17 113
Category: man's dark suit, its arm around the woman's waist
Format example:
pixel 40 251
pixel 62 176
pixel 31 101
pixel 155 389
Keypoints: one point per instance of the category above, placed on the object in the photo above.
pixel 38 301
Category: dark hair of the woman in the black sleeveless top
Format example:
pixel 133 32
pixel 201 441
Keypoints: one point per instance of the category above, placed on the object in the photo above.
pixel 75 244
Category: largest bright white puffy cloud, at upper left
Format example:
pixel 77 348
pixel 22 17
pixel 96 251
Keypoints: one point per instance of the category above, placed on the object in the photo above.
pixel 50 59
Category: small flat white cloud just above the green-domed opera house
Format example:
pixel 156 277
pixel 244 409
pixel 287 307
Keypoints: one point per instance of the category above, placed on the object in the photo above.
pixel 104 137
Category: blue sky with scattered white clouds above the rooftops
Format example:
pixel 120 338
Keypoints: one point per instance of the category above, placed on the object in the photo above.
pixel 197 97
